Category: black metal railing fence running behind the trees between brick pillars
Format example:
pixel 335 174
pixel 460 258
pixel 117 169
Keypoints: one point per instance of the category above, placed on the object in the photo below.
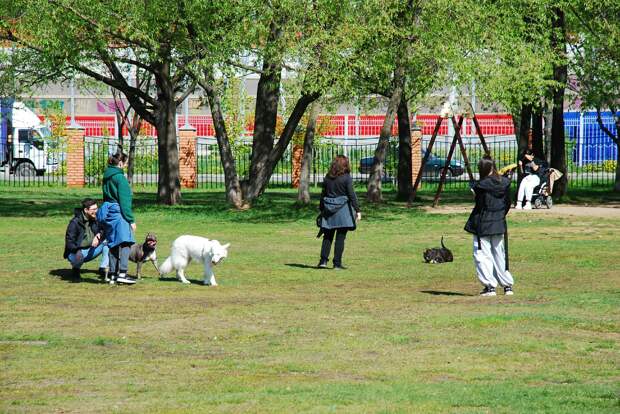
pixel 48 166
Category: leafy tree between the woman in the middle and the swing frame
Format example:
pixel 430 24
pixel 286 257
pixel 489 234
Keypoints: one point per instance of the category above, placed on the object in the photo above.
pixel 403 53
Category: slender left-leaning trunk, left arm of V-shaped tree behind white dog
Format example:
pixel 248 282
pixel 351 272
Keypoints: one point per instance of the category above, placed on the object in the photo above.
pixel 234 193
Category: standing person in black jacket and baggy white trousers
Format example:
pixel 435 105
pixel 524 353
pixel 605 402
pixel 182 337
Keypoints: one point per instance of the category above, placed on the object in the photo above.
pixel 487 222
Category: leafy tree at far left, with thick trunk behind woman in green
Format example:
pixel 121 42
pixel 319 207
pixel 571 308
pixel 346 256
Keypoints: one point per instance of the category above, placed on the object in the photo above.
pixel 113 42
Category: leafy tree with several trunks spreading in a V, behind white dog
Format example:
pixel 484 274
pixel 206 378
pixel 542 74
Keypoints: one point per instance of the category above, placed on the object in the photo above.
pixel 277 37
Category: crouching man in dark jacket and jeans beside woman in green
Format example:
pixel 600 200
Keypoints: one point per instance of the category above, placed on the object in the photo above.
pixel 84 240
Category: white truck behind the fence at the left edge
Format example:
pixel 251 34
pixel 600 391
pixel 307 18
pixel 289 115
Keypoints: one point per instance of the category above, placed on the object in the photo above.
pixel 24 141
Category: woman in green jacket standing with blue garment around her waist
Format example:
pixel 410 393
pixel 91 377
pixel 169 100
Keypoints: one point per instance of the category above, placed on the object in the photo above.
pixel 118 219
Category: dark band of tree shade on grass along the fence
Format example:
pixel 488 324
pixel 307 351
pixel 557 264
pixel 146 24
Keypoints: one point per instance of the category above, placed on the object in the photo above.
pixel 275 205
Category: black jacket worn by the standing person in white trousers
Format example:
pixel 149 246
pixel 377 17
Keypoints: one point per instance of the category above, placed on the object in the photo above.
pixel 488 218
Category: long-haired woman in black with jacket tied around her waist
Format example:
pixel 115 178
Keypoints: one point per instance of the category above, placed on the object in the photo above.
pixel 339 210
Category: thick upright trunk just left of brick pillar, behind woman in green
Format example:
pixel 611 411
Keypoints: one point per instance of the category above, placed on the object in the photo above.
pixel 169 184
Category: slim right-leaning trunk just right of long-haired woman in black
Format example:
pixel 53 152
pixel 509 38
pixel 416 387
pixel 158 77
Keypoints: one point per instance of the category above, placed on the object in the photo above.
pixel 373 194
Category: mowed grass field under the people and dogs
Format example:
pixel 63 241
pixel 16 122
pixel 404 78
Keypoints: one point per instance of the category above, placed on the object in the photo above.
pixel 389 335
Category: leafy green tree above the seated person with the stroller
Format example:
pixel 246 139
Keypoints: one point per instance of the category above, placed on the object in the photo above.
pixel 518 65
